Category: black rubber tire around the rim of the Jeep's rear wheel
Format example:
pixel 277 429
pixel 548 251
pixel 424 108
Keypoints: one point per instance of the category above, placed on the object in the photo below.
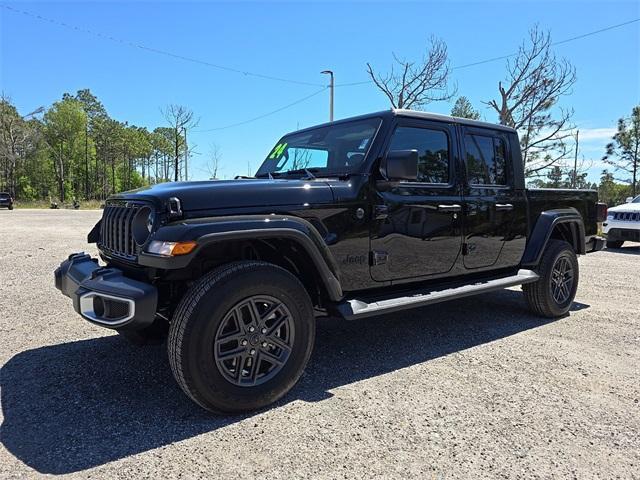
pixel 539 295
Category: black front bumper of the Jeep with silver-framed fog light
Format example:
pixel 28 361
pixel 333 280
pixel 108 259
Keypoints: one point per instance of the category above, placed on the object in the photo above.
pixel 104 295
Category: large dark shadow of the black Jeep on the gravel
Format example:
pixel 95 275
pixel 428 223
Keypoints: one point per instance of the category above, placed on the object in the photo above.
pixel 82 404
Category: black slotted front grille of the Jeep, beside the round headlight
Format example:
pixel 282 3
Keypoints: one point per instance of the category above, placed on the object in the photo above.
pixel 116 235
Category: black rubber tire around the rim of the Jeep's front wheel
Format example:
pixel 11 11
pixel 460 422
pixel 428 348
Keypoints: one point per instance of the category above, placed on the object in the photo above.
pixel 198 316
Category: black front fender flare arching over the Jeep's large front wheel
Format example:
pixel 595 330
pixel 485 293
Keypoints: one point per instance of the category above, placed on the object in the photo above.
pixel 212 230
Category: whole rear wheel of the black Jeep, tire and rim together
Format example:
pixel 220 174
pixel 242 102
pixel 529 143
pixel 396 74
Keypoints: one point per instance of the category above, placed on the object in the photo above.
pixel 552 295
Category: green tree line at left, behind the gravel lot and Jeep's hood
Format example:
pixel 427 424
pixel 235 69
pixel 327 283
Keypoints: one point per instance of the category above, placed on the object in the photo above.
pixel 75 150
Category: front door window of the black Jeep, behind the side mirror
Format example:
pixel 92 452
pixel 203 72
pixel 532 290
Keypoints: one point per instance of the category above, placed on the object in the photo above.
pixel 433 151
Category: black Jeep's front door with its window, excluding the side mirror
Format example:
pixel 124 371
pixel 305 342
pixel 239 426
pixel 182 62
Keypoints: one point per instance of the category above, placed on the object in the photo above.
pixel 417 231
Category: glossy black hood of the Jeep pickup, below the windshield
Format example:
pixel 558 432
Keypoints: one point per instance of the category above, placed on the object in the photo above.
pixel 241 193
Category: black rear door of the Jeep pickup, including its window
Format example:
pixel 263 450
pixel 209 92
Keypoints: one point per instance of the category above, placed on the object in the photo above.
pixel 494 208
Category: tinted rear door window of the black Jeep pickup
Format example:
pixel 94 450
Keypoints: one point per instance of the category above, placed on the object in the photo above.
pixel 486 160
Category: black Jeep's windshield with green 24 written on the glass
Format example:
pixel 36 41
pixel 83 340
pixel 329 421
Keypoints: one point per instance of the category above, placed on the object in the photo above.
pixel 334 149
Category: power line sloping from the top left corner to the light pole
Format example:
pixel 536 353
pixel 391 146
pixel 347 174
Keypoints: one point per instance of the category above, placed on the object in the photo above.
pixel 156 50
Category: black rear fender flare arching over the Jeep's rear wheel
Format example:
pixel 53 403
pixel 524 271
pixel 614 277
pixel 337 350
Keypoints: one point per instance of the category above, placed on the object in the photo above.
pixel 541 233
